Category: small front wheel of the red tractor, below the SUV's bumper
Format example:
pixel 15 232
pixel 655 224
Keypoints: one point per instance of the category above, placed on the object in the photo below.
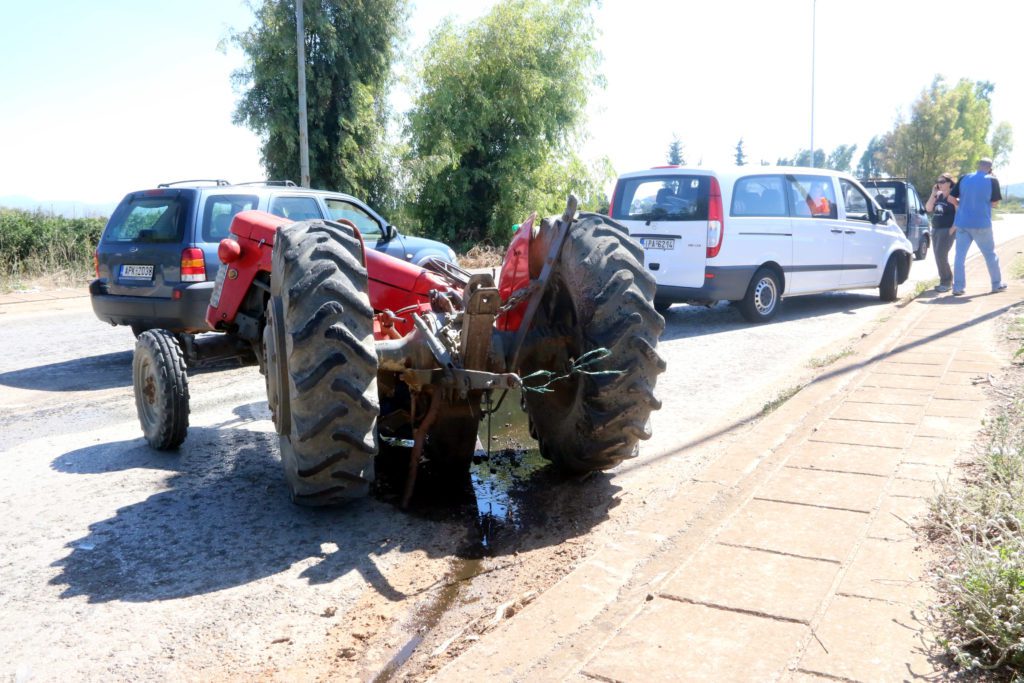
pixel 161 387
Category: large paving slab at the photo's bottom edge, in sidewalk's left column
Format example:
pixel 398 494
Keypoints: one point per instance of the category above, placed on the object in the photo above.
pixel 665 644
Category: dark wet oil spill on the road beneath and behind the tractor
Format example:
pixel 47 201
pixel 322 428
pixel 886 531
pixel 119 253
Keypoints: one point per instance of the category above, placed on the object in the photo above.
pixel 494 502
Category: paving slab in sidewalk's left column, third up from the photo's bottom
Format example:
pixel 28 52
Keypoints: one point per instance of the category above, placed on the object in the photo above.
pixel 796 530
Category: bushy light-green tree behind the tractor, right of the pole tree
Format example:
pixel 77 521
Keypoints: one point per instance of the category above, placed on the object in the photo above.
pixel 494 133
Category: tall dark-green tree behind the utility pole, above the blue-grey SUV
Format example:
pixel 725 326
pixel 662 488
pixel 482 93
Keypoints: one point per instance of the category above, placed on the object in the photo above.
pixel 350 47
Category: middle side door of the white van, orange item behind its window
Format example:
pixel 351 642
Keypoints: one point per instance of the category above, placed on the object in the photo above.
pixel 818 235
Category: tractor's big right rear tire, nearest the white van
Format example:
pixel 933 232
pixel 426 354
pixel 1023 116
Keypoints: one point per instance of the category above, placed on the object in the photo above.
pixel 600 296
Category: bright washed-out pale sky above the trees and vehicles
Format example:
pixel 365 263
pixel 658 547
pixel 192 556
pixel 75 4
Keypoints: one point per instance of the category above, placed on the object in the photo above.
pixel 104 98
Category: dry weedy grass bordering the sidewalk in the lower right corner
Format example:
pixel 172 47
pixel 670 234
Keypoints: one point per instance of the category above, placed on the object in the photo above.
pixel 980 579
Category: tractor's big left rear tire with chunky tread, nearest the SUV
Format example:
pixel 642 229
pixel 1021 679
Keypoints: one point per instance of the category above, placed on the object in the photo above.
pixel 321 363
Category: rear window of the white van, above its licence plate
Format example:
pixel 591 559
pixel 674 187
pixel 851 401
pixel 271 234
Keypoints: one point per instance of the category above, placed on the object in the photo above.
pixel 672 198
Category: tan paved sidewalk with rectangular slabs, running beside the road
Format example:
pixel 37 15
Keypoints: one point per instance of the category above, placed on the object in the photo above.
pixel 794 557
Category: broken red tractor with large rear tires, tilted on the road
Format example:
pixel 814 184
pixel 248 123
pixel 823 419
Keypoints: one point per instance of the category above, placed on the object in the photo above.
pixel 359 348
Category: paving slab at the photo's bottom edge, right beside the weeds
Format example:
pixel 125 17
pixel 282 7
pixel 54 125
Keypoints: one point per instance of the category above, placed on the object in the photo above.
pixel 870 641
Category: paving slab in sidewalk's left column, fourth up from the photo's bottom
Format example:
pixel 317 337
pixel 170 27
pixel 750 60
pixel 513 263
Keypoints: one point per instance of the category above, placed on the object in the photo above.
pixel 833 490
